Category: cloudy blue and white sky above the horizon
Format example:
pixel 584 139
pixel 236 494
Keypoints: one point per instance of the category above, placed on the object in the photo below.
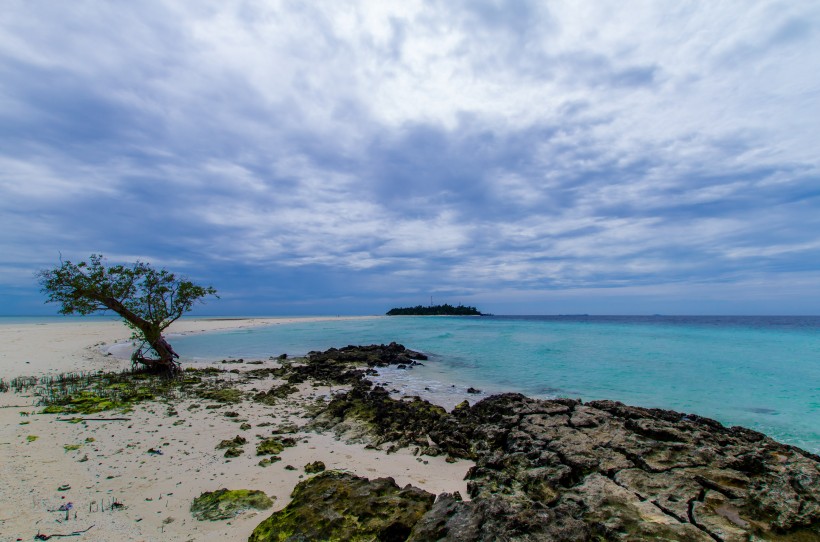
pixel 338 157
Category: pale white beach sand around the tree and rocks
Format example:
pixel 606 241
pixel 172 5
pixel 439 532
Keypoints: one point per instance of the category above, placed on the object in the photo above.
pixel 108 462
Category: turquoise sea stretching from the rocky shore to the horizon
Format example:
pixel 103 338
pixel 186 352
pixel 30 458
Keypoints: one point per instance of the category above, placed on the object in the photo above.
pixel 758 372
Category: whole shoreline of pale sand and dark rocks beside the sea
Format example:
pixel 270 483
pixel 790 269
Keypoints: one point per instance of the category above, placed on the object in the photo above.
pixel 534 468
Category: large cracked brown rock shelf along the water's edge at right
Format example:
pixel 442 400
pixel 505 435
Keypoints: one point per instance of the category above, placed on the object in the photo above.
pixel 567 470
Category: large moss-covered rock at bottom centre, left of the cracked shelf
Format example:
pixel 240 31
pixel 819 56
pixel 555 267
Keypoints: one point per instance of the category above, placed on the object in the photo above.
pixel 335 505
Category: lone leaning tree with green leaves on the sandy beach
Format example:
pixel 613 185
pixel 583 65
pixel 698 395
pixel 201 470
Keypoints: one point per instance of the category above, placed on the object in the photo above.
pixel 149 300
